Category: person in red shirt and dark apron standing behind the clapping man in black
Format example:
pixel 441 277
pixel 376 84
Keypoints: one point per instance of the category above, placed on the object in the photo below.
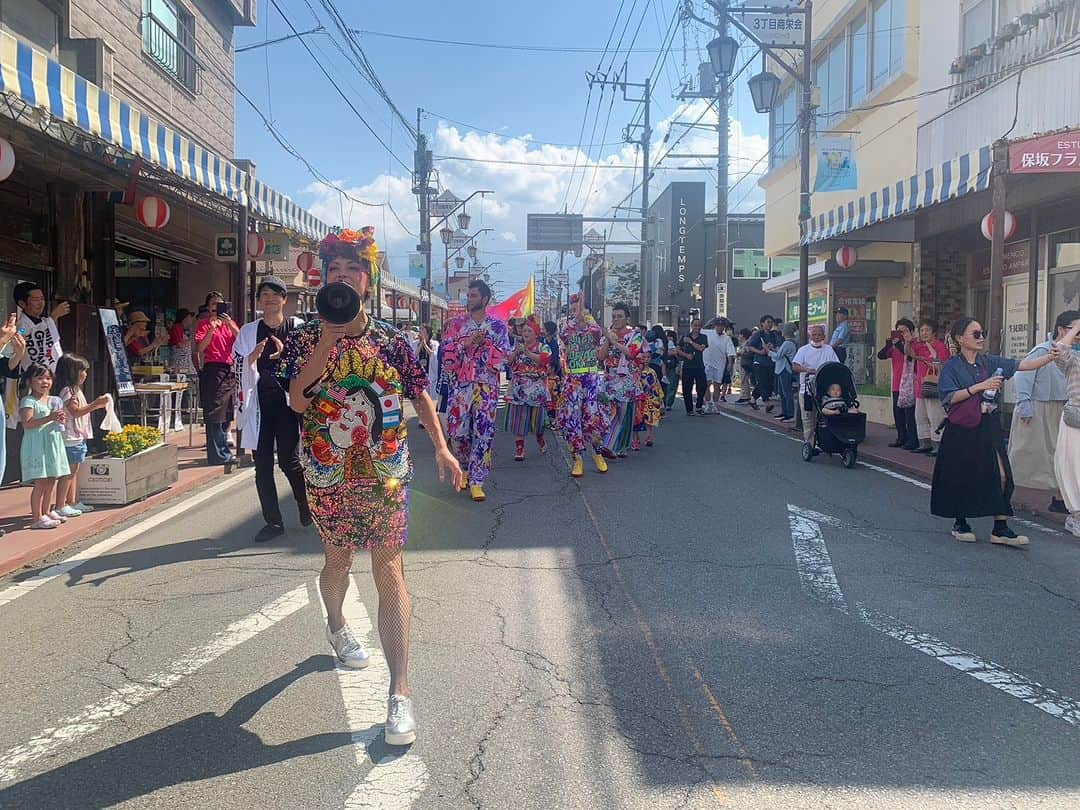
pixel 218 385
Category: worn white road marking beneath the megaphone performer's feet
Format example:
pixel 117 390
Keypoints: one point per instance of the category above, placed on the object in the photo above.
pixel 396 782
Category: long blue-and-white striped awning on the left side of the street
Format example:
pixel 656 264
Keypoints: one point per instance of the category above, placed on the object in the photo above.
pixel 44 84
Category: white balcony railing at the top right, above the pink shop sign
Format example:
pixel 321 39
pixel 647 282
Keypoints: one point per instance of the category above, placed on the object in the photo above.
pixel 1047 28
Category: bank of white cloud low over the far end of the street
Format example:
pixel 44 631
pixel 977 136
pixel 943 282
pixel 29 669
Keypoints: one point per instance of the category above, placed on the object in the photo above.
pixel 531 178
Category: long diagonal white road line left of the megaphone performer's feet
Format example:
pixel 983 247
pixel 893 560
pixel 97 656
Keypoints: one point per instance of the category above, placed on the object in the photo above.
pixel 133 695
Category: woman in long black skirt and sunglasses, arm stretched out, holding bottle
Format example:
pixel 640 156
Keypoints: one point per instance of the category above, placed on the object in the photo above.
pixel 973 478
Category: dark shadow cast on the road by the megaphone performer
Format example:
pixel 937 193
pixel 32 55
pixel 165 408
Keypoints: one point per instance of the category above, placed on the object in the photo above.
pixel 200 748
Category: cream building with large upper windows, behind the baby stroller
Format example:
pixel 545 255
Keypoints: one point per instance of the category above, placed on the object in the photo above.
pixel 867 66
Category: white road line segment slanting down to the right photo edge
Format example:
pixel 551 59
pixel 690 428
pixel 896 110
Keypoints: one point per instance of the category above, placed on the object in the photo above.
pixel 1048 700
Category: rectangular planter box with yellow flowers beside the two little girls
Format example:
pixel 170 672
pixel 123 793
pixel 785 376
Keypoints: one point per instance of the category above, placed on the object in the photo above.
pixel 138 465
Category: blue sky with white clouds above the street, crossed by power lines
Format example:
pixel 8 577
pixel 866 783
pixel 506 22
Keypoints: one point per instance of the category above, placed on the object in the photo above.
pixel 524 98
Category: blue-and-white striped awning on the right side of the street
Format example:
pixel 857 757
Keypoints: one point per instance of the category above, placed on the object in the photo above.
pixel 954 179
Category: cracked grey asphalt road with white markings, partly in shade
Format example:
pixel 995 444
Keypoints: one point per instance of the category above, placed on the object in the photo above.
pixel 714 624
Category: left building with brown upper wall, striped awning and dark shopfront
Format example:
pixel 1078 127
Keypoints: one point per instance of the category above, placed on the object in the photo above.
pixel 107 103
